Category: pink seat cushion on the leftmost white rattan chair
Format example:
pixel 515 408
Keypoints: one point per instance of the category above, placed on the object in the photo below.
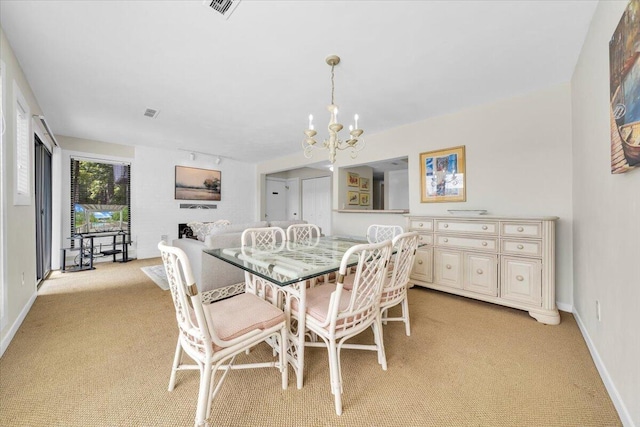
pixel 238 315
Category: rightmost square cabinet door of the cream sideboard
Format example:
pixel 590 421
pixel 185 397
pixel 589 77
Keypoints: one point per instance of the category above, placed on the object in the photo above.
pixel 521 280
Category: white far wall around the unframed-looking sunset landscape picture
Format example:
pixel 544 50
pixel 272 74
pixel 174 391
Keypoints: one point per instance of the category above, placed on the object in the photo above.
pixel 156 212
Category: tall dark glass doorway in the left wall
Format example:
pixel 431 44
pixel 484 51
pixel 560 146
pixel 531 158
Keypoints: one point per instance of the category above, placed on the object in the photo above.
pixel 43 190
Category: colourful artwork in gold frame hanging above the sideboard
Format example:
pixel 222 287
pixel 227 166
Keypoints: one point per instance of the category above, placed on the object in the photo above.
pixel 442 175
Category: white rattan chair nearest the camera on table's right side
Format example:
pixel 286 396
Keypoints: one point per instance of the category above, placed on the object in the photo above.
pixel 335 314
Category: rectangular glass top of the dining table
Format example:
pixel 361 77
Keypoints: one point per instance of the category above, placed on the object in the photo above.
pixel 290 262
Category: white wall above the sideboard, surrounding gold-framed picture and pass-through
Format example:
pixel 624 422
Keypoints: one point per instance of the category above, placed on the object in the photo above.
pixel 518 163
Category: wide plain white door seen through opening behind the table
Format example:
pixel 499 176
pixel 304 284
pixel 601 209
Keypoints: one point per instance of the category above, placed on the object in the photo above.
pixel 316 202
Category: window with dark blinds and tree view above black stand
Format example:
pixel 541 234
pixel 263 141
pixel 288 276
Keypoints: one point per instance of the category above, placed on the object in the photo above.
pixel 100 196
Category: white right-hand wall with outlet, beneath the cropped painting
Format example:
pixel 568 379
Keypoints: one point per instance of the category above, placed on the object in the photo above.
pixel 606 225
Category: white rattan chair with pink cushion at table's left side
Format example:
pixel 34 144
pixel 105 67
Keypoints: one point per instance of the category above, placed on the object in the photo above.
pixel 213 334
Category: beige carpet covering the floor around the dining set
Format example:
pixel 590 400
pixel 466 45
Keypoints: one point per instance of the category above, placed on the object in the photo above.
pixel 96 350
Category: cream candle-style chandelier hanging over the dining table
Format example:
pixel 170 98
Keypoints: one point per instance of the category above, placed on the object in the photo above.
pixel 334 143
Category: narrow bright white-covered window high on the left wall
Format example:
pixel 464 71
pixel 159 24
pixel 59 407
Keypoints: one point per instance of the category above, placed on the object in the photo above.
pixel 22 195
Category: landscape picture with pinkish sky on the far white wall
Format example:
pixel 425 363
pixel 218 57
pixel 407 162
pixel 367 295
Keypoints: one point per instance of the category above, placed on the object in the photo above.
pixel 197 184
